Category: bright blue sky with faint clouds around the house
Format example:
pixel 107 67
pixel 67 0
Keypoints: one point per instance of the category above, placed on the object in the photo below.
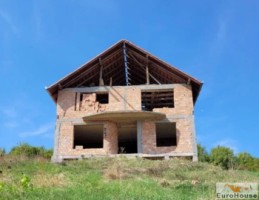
pixel 214 41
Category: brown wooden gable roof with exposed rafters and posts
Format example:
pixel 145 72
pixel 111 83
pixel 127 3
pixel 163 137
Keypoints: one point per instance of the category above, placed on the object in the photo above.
pixel 136 67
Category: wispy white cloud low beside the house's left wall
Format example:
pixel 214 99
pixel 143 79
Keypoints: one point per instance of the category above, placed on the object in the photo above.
pixel 43 130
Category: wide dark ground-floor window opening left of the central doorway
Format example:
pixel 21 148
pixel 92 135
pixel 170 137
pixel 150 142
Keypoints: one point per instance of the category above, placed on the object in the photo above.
pixel 88 136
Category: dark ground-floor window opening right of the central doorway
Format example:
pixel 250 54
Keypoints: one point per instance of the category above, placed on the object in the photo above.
pixel 166 134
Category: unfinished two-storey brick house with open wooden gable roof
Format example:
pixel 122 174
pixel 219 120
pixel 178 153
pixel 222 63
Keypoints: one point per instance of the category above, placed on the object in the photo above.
pixel 125 101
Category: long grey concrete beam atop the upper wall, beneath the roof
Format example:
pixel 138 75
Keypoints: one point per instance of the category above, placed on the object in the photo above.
pixel 107 88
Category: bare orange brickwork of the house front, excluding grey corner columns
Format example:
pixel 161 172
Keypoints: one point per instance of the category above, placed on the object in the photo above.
pixel 69 106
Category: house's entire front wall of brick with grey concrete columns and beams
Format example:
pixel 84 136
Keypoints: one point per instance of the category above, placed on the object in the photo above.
pixel 75 103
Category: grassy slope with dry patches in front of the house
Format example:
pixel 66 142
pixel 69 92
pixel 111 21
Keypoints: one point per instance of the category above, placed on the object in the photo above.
pixel 114 178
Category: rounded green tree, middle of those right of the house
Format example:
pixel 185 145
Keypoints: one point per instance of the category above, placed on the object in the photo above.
pixel 222 156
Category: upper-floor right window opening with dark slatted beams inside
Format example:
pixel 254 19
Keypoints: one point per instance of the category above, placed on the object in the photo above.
pixel 157 99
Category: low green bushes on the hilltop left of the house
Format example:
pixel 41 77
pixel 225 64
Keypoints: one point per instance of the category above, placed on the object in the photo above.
pixel 30 151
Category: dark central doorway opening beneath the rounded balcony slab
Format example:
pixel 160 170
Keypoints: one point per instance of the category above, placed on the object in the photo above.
pixel 127 138
